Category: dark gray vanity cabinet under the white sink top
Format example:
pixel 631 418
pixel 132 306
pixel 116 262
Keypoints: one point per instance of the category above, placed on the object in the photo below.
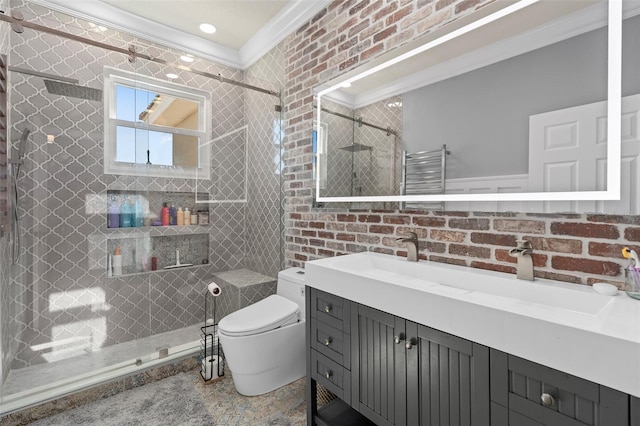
pixel 386 370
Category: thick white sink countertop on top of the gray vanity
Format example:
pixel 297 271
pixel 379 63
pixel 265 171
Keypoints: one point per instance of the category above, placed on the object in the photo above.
pixel 564 326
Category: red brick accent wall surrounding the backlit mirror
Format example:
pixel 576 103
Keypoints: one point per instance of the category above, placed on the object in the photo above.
pixel 573 248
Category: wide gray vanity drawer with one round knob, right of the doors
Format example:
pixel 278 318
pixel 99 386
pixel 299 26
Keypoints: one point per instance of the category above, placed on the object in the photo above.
pixel 568 400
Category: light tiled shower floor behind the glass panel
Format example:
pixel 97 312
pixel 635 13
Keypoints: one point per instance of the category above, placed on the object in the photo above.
pixel 30 377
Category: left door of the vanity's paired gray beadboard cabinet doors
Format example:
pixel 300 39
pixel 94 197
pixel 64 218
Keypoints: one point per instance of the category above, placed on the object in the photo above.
pixel 378 366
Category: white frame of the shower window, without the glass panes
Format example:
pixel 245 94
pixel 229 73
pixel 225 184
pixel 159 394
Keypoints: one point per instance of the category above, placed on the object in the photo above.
pixel 114 77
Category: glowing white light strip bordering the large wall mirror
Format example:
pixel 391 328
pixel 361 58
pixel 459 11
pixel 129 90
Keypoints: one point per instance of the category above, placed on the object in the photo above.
pixel 614 101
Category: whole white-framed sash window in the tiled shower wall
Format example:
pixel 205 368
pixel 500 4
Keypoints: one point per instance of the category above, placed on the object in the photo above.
pixel 154 127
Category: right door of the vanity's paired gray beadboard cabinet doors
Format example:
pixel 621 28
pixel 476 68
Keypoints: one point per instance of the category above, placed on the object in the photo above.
pixel 447 380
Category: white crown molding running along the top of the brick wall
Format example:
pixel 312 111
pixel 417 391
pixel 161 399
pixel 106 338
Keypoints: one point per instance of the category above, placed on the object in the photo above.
pixel 287 21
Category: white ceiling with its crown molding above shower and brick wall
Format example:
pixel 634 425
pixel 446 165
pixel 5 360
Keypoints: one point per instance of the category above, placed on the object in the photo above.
pixel 246 29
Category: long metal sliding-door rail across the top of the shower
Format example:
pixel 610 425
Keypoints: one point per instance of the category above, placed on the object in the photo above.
pixel 131 52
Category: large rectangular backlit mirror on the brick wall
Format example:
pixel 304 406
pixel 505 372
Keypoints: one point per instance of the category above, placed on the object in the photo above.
pixel 504 110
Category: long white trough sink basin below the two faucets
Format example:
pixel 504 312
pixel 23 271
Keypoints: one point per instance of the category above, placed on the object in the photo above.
pixel 456 281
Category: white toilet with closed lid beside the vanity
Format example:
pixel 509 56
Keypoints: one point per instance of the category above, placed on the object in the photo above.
pixel 264 343
